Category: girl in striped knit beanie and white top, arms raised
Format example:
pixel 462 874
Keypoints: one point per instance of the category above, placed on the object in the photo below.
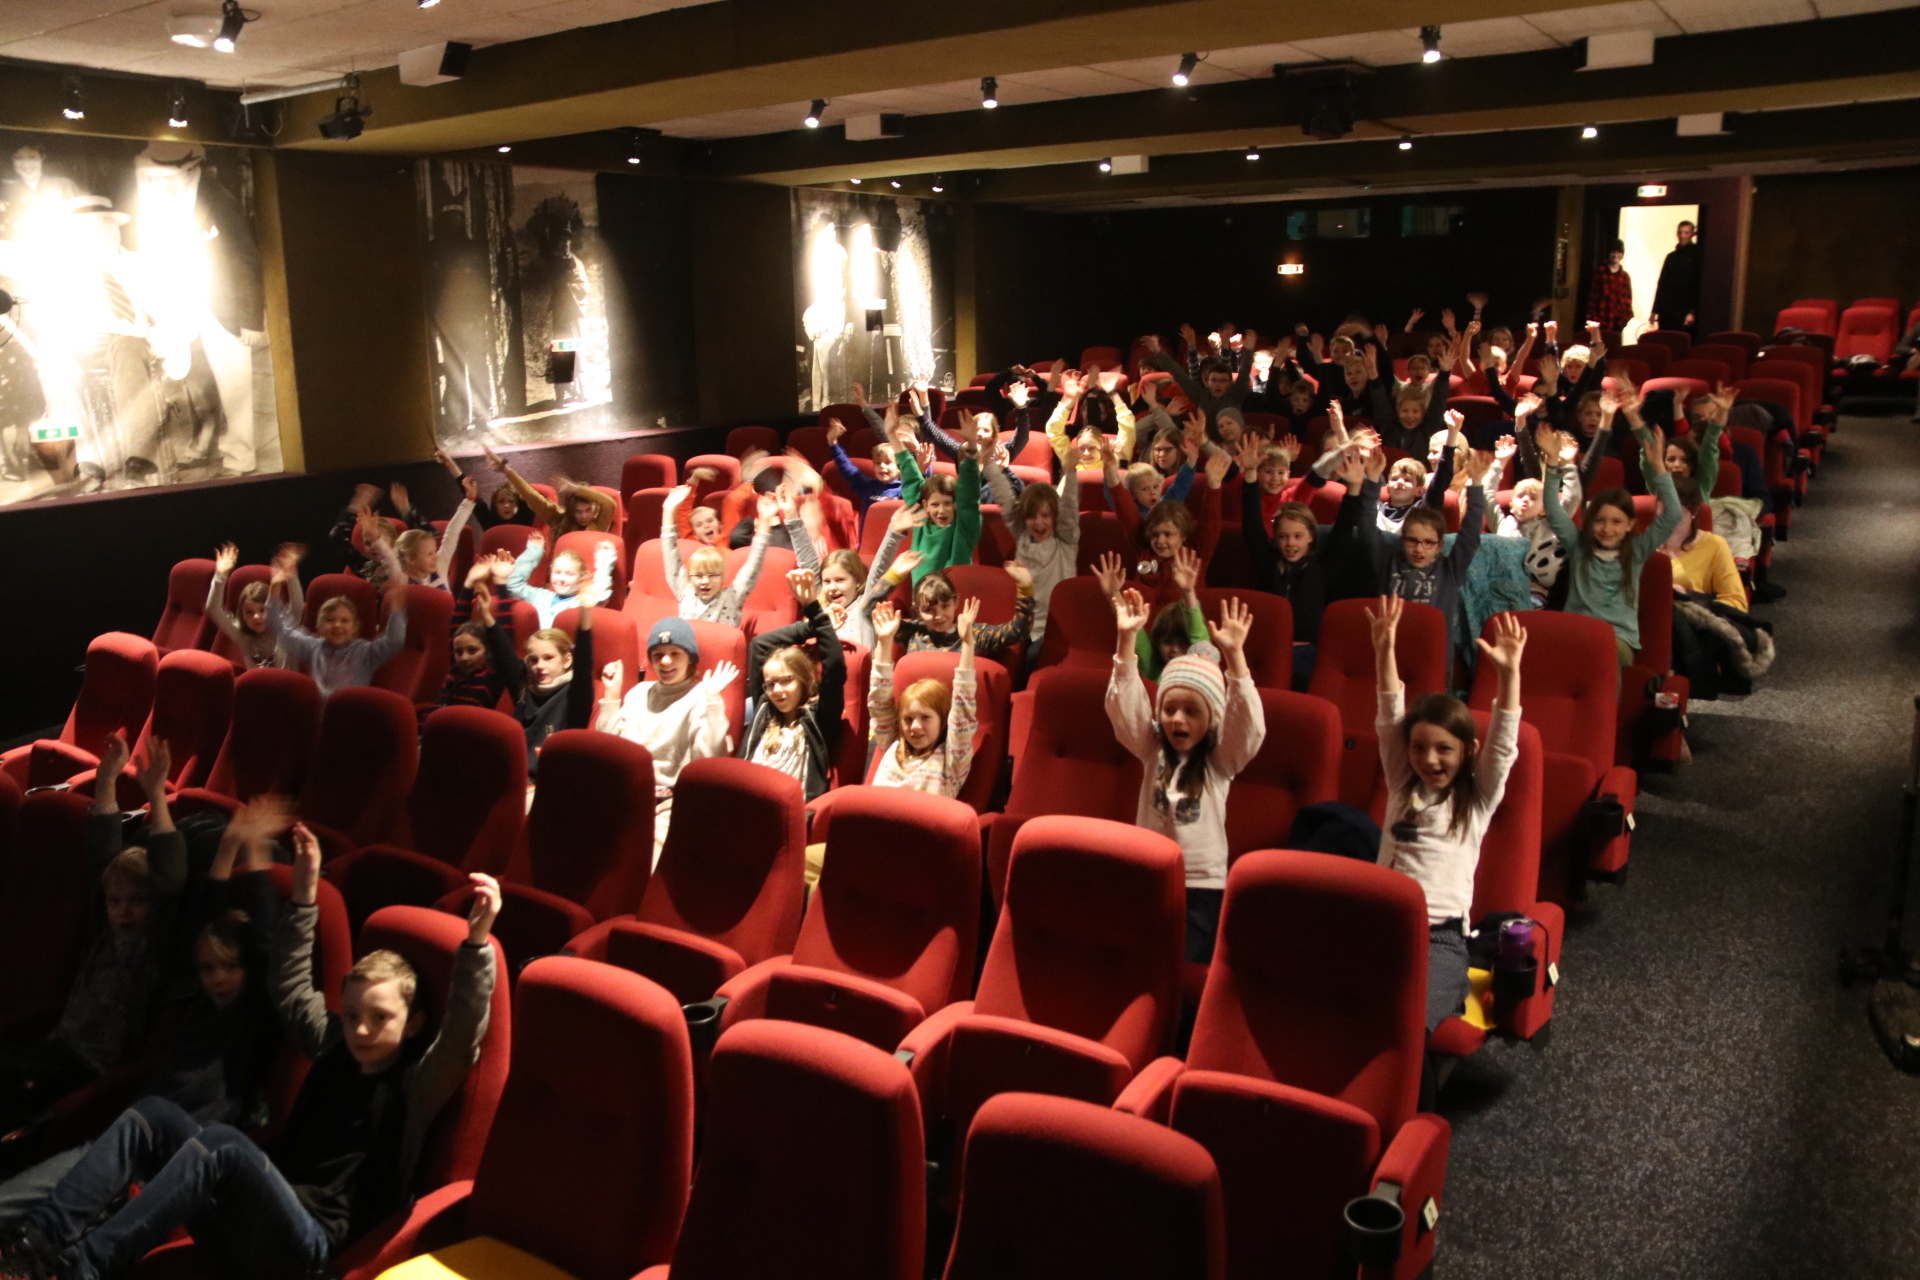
pixel 1201 732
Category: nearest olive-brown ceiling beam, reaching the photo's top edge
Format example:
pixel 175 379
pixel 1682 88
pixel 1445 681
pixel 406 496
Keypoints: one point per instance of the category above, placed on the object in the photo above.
pixel 734 55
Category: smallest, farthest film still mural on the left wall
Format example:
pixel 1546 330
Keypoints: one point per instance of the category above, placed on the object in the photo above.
pixel 873 300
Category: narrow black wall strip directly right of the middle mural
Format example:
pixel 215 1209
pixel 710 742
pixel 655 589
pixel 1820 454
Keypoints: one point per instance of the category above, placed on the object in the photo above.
pixel 644 225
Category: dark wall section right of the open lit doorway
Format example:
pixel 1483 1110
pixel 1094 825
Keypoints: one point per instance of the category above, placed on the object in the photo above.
pixel 1833 235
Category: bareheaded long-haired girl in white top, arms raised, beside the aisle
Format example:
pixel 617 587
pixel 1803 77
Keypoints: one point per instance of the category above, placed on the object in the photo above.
pixel 1443 792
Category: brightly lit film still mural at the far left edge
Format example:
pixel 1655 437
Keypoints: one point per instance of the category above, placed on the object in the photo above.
pixel 133 335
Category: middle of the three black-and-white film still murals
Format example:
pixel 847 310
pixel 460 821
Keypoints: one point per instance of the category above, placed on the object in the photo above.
pixel 517 304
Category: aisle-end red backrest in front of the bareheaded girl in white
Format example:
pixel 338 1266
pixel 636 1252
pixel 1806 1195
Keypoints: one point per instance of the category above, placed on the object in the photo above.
pixel 1274 1010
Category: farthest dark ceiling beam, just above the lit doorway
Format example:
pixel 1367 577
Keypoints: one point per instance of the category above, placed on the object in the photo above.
pixel 1860 131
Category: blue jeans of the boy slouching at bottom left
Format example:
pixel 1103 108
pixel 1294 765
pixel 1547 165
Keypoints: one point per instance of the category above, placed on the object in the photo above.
pixel 214 1181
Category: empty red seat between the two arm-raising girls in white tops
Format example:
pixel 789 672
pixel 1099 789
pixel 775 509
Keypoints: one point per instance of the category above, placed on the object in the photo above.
pixel 1299 765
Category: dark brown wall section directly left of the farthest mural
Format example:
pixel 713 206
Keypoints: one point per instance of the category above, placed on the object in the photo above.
pixel 742 252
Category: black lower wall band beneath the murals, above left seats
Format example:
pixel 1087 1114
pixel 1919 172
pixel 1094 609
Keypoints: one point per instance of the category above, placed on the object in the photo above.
pixel 101 563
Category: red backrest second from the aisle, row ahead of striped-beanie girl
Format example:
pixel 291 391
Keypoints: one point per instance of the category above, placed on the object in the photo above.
pixel 1092 936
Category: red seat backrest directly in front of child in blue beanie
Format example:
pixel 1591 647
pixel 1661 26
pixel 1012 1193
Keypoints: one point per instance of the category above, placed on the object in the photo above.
pixel 742 891
